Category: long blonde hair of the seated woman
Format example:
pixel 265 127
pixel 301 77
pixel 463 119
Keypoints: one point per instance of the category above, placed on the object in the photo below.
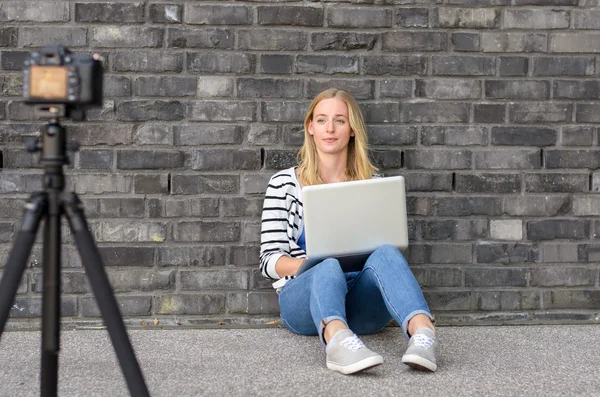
pixel 358 165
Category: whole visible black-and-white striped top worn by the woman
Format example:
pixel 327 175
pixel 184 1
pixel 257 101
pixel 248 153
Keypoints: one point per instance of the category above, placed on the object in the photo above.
pixel 282 221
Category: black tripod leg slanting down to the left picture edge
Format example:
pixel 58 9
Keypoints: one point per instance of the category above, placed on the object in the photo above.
pixel 17 260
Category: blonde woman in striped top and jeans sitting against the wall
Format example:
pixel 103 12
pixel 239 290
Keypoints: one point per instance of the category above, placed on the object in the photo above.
pixel 324 300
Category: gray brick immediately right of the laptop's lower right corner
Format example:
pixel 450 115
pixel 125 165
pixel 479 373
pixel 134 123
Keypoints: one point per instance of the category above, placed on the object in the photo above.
pixel 439 253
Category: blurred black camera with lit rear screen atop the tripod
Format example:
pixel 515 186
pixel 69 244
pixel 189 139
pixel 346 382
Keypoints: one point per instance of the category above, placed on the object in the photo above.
pixel 54 76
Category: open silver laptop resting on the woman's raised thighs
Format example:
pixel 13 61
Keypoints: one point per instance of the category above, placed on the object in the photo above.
pixel 350 220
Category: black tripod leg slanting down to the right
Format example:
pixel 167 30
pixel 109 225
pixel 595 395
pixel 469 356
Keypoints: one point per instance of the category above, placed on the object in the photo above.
pixel 104 296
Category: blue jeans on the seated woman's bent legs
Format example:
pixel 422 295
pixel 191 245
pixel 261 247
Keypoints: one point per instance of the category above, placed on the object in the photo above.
pixel 365 301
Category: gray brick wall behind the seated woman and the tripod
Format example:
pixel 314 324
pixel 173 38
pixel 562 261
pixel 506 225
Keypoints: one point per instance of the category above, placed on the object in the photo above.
pixel 489 108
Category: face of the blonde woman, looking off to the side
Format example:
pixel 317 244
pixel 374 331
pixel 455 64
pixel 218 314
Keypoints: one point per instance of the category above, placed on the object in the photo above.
pixel 330 126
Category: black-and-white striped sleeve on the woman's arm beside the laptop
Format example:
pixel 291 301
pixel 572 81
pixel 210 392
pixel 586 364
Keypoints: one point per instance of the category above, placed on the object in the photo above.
pixel 274 240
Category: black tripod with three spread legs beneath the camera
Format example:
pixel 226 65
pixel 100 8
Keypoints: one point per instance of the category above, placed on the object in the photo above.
pixel 50 205
